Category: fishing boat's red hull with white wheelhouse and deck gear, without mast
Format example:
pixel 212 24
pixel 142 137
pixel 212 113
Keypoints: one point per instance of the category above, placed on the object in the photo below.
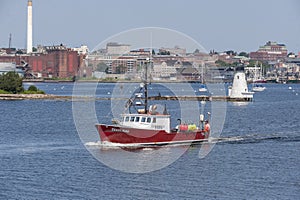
pixel 141 129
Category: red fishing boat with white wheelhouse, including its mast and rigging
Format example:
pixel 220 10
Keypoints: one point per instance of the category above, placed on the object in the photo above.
pixel 148 127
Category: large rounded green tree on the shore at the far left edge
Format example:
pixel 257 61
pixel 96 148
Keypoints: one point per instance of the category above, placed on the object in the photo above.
pixel 11 82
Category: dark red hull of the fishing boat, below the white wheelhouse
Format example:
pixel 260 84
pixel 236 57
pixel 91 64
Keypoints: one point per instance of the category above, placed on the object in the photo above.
pixel 125 135
